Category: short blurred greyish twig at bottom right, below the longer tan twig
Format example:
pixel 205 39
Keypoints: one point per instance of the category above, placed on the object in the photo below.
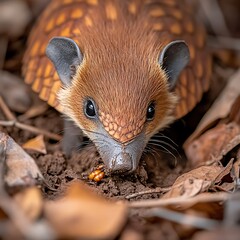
pixel 194 221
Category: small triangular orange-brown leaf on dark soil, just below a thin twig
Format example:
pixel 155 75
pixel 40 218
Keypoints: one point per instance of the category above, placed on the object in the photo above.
pixel 36 144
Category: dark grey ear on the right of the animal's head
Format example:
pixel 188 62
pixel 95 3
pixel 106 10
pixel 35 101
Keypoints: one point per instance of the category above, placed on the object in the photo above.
pixel 173 59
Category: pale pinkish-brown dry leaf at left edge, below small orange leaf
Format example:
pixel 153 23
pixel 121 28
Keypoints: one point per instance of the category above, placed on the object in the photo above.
pixel 21 169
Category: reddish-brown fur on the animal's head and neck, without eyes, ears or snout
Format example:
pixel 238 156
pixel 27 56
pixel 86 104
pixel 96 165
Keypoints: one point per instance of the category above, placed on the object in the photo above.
pixel 122 74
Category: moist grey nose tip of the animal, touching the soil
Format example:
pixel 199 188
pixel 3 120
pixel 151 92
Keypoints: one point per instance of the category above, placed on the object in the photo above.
pixel 122 163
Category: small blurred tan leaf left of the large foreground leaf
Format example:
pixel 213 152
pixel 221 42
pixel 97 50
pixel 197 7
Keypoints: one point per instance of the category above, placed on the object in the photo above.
pixel 31 202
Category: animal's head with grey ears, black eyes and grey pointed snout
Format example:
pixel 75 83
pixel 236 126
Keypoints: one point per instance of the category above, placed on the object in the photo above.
pixel 119 97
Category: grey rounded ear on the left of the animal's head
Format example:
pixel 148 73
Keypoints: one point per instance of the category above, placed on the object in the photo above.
pixel 66 56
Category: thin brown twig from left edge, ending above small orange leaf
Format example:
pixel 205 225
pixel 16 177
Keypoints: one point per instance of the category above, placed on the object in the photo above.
pixel 31 129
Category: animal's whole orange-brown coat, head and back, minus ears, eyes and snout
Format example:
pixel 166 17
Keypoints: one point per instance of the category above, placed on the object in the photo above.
pixel 121 41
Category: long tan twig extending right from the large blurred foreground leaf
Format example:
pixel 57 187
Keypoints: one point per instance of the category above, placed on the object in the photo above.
pixel 204 197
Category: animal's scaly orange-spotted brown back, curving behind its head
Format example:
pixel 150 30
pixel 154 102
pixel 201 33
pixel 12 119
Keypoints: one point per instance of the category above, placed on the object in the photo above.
pixel 171 18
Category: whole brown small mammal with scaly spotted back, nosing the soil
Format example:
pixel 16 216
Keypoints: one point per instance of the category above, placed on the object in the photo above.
pixel 121 70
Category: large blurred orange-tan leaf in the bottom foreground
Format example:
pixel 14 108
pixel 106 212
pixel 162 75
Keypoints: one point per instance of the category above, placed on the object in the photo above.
pixel 83 214
